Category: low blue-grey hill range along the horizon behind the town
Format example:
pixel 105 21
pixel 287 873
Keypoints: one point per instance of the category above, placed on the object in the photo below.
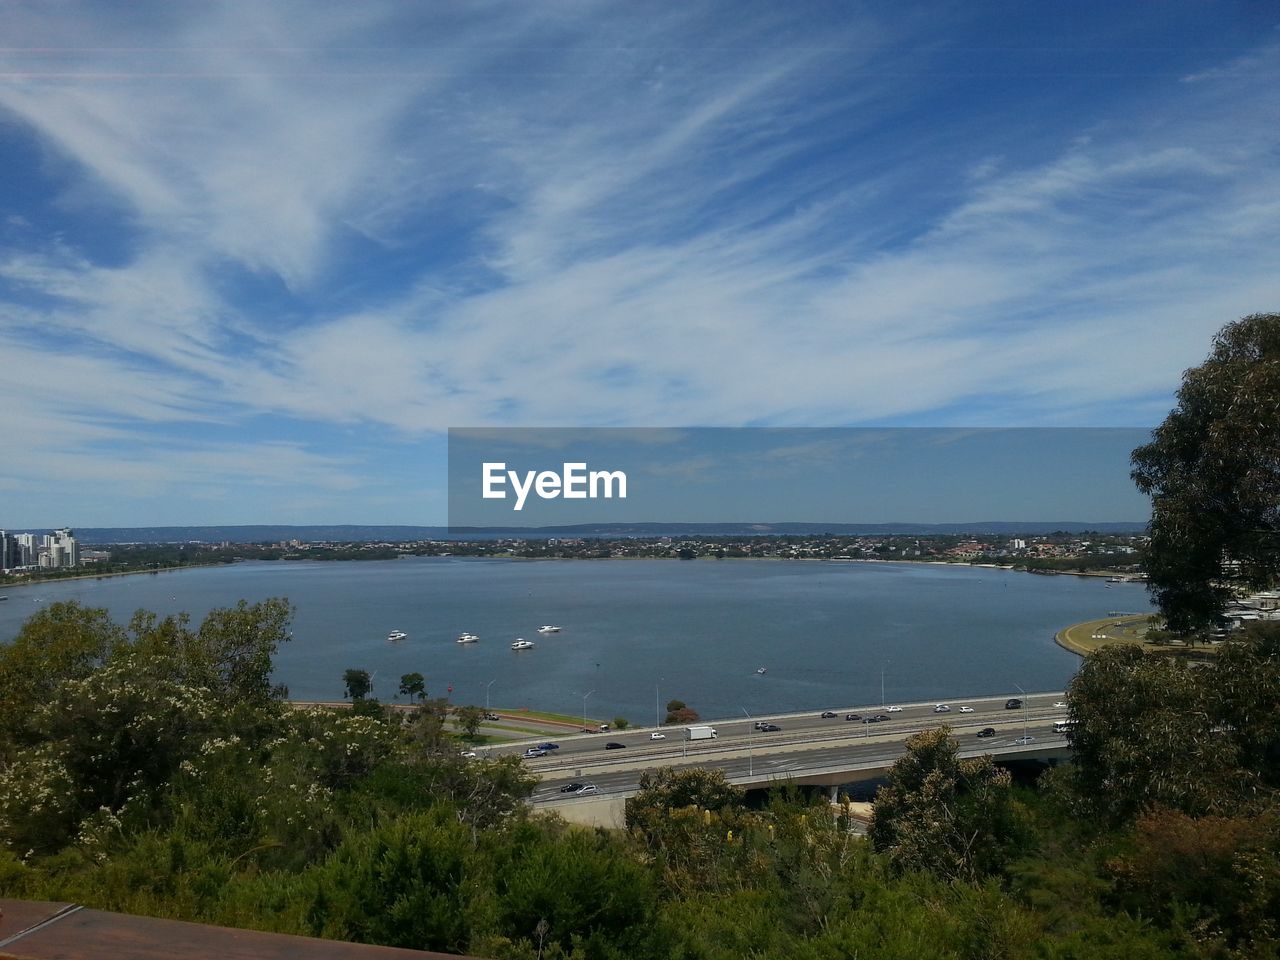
pixel 351 533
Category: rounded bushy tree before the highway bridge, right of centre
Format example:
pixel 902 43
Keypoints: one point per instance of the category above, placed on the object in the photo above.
pixel 944 815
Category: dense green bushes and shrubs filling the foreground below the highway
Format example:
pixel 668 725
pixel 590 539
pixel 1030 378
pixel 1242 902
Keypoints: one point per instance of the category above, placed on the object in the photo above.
pixel 154 770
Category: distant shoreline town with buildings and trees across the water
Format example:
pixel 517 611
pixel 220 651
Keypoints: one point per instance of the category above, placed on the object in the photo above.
pixel 58 555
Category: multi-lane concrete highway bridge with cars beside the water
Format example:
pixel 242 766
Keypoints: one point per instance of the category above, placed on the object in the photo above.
pixel 808 749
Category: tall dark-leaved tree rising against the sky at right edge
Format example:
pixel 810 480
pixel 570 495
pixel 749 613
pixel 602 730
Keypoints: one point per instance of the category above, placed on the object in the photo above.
pixel 1213 472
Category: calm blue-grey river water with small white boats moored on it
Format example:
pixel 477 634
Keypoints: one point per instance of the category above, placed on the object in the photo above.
pixel 696 630
